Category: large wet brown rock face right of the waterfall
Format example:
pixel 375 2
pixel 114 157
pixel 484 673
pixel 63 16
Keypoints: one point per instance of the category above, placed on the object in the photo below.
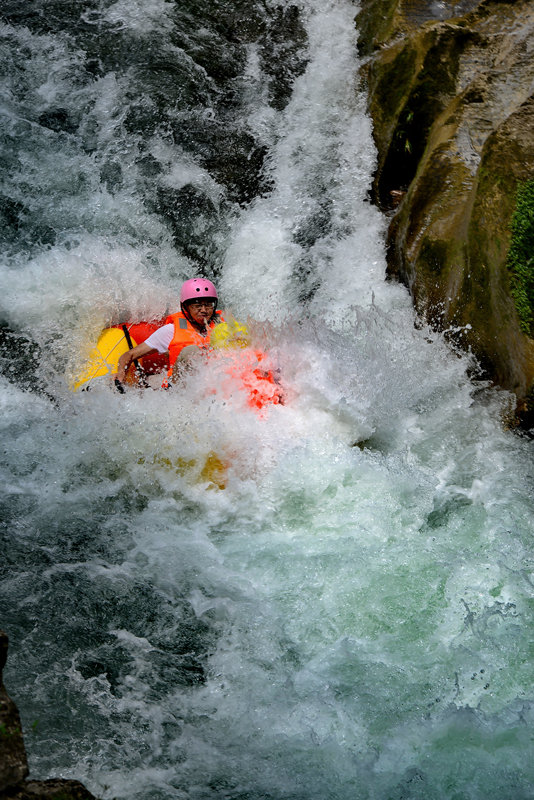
pixel 451 99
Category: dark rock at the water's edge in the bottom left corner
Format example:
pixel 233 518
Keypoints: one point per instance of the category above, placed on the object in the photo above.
pixel 13 761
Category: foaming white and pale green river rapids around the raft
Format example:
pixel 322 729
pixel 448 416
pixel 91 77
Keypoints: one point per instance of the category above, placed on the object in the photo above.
pixel 350 617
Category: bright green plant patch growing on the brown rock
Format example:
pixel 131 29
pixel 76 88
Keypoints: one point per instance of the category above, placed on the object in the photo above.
pixel 520 260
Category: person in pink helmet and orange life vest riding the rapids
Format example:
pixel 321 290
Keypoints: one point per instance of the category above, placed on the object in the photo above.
pixel 185 333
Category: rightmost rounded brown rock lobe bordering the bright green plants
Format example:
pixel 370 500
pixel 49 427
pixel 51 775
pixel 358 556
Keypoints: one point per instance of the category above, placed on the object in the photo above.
pixel 488 302
